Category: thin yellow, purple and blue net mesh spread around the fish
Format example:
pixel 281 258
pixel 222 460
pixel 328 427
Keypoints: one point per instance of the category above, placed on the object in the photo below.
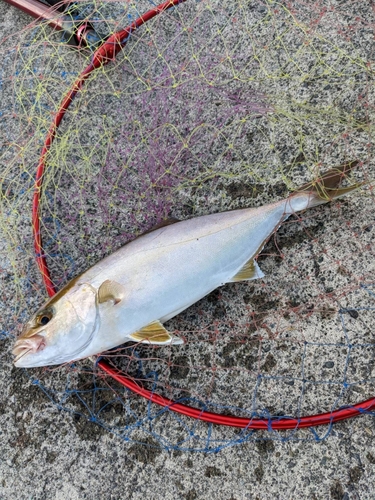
pixel 209 107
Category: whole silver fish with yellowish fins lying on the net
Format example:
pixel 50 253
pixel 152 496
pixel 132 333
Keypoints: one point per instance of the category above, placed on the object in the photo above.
pixel 130 294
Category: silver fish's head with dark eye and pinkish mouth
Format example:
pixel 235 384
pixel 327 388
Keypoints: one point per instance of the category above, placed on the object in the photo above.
pixel 61 329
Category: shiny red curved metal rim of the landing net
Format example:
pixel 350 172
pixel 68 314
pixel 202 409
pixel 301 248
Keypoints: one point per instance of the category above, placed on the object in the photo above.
pixel 103 55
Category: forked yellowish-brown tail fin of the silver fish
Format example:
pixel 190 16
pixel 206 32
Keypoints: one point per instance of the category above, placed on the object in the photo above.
pixel 323 189
